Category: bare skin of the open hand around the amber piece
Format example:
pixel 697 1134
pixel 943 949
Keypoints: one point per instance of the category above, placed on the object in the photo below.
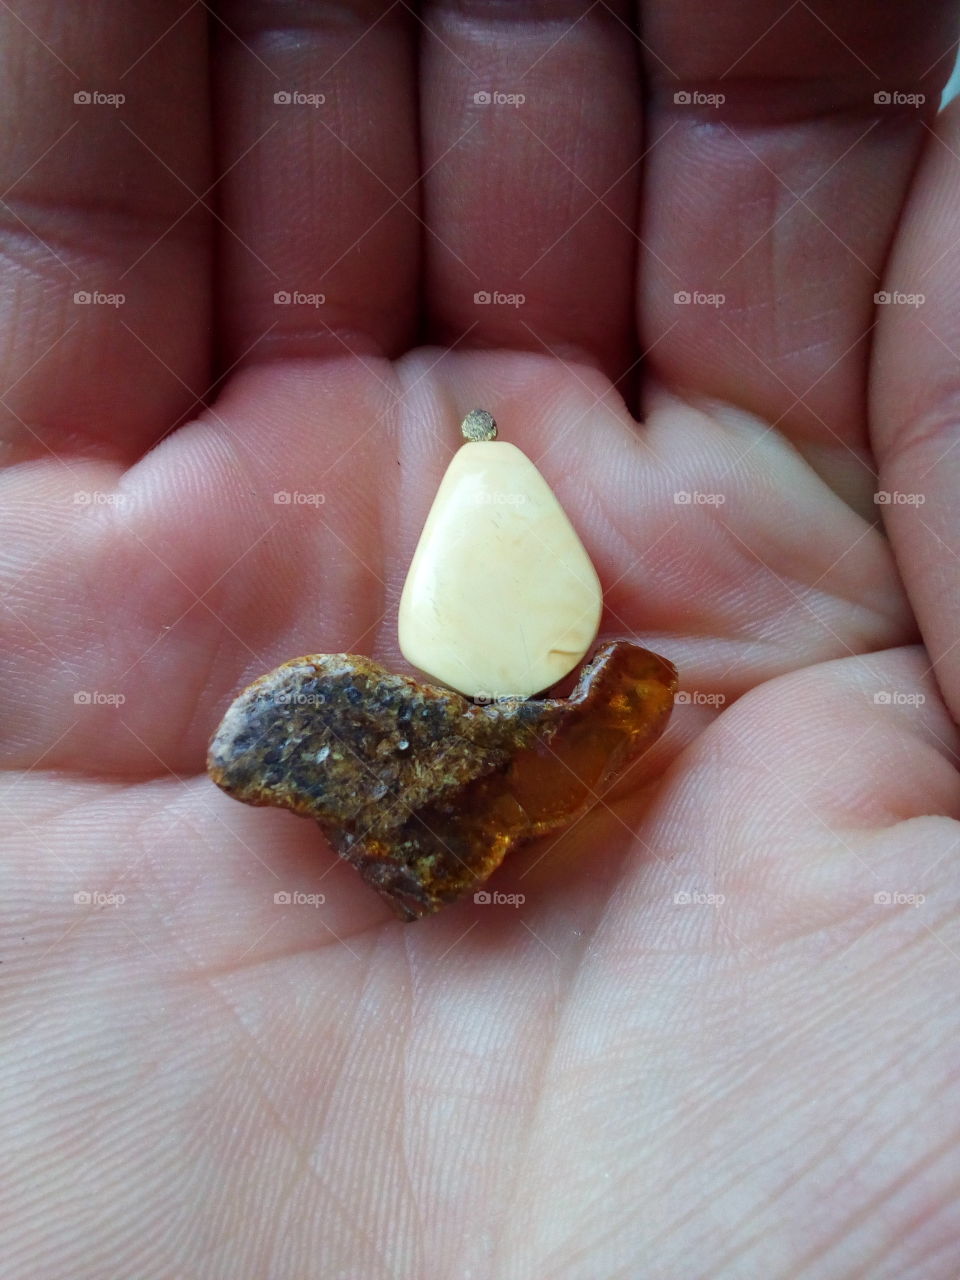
pixel 610 1080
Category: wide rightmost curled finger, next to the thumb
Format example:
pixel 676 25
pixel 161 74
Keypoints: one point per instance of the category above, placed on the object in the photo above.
pixel 781 200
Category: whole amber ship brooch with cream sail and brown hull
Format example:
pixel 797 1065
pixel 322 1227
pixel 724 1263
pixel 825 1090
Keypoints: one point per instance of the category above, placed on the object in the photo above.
pixel 427 789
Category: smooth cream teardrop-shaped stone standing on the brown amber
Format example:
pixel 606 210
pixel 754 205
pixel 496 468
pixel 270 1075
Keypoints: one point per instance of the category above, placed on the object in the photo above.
pixel 501 598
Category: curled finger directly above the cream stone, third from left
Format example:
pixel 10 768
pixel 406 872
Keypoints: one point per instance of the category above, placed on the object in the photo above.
pixel 532 158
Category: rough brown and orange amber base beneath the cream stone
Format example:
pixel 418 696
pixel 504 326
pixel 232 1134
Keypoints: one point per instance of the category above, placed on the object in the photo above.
pixel 422 790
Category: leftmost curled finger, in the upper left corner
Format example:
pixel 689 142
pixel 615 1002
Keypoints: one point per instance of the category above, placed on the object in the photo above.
pixel 104 299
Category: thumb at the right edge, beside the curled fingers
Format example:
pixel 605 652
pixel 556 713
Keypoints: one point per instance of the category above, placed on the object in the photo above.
pixel 917 397
